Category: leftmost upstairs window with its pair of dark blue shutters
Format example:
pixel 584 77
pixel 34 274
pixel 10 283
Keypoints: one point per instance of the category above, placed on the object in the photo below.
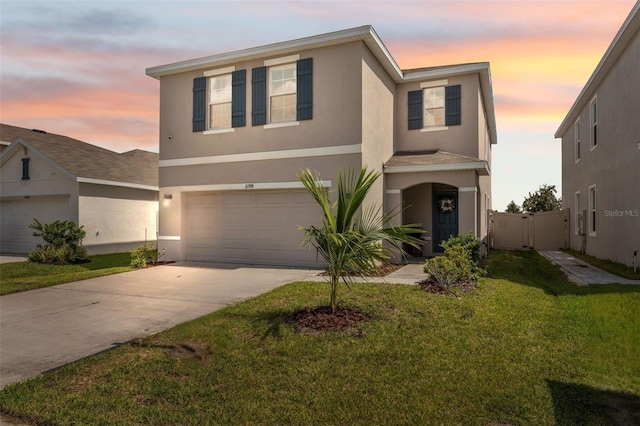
pixel 219 100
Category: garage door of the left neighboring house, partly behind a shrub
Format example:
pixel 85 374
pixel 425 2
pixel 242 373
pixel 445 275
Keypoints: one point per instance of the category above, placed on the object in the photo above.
pixel 17 215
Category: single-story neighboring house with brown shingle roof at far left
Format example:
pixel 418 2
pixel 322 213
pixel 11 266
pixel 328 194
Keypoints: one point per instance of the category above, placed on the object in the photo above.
pixel 52 177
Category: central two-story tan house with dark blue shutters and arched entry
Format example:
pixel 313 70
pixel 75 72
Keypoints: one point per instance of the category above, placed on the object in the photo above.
pixel 236 128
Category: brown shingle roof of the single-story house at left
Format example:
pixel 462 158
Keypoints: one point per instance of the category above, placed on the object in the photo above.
pixel 89 161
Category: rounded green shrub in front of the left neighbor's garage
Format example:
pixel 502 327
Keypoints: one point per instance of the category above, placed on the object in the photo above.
pixel 62 243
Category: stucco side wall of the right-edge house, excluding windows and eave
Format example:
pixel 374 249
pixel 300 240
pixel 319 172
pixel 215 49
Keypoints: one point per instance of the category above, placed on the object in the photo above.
pixel 613 166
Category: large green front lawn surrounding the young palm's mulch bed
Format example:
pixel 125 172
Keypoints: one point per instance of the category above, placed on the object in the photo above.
pixel 527 348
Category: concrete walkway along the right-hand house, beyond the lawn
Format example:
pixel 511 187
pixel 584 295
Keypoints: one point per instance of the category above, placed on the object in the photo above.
pixel 581 272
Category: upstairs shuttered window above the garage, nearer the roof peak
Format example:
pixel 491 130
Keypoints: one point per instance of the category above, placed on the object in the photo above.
pixel 282 91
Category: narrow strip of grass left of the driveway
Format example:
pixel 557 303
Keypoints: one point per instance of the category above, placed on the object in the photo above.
pixel 21 276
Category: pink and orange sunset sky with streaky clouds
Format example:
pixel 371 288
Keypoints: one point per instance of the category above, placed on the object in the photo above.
pixel 77 68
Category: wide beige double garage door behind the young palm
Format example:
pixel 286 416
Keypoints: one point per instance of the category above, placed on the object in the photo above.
pixel 256 227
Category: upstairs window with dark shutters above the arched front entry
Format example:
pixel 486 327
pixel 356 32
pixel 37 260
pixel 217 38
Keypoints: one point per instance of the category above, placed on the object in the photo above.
pixel 435 107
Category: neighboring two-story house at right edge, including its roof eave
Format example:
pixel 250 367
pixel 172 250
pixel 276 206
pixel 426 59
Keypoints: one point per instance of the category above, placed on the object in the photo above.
pixel 601 153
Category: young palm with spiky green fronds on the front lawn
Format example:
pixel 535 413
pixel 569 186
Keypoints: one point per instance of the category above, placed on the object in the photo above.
pixel 351 236
